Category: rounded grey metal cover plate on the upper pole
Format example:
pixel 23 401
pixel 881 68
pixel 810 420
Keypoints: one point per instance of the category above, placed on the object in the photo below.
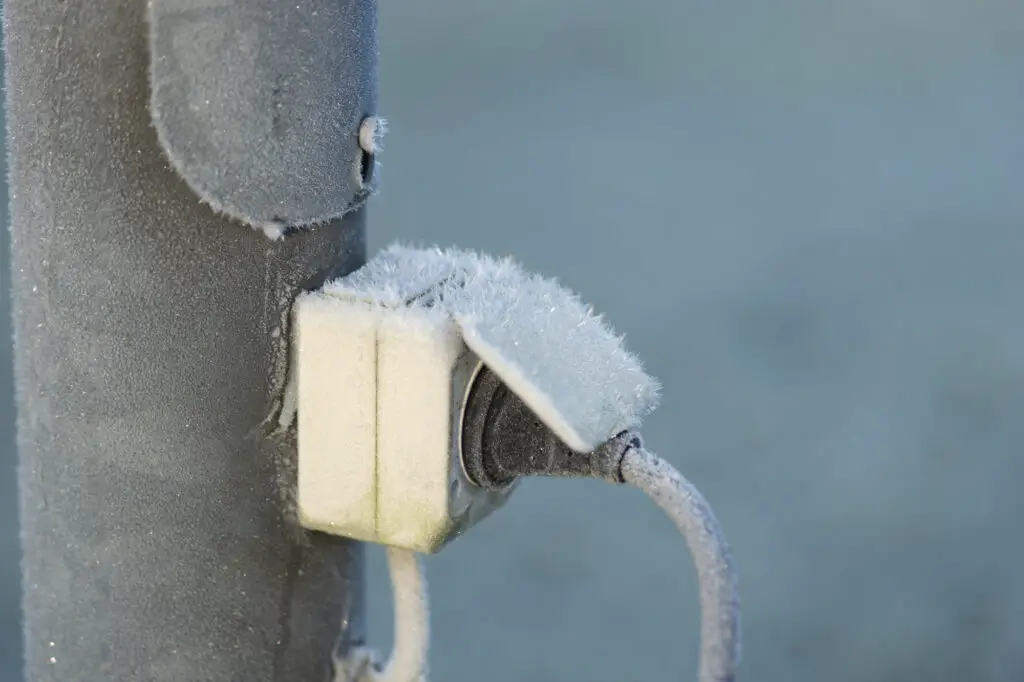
pixel 259 103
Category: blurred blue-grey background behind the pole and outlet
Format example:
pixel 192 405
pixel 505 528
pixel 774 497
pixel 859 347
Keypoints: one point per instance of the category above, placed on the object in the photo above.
pixel 808 218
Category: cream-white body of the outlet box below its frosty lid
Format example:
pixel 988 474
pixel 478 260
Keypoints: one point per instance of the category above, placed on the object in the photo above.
pixel 381 387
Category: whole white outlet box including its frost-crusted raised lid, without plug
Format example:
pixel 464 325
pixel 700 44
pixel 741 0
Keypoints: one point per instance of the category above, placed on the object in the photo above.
pixel 383 362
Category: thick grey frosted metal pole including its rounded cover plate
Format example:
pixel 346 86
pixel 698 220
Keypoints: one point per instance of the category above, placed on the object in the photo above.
pixel 151 331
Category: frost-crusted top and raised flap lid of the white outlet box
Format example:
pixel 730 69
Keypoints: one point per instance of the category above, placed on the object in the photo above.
pixel 546 345
